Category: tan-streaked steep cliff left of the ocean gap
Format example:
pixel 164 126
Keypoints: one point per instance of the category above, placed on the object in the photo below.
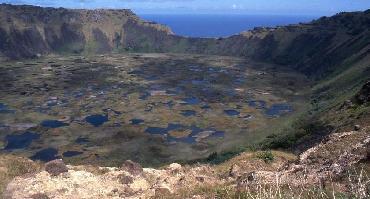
pixel 26 31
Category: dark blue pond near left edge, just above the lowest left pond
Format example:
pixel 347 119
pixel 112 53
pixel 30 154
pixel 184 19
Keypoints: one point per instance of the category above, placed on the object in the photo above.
pixel 20 141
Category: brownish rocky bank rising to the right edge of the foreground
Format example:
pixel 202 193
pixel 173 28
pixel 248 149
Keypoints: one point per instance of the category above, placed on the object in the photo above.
pixel 326 162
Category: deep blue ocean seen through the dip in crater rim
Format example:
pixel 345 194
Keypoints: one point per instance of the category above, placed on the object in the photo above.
pixel 207 25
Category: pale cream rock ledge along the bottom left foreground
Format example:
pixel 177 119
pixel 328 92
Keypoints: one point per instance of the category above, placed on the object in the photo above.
pixel 111 182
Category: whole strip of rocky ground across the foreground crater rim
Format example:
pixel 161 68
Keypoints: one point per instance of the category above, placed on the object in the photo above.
pixel 324 165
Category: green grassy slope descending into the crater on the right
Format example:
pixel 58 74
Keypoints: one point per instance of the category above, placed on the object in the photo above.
pixel 322 116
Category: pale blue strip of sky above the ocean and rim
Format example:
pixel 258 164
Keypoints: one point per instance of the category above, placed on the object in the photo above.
pixel 273 7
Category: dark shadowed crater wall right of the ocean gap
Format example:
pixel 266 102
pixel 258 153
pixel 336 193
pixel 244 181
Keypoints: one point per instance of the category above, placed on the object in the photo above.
pixel 316 49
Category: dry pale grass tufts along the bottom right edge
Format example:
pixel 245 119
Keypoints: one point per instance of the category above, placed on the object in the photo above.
pixel 355 185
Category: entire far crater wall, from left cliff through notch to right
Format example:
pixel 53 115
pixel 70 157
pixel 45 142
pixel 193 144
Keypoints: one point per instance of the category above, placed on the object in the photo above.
pixel 316 49
